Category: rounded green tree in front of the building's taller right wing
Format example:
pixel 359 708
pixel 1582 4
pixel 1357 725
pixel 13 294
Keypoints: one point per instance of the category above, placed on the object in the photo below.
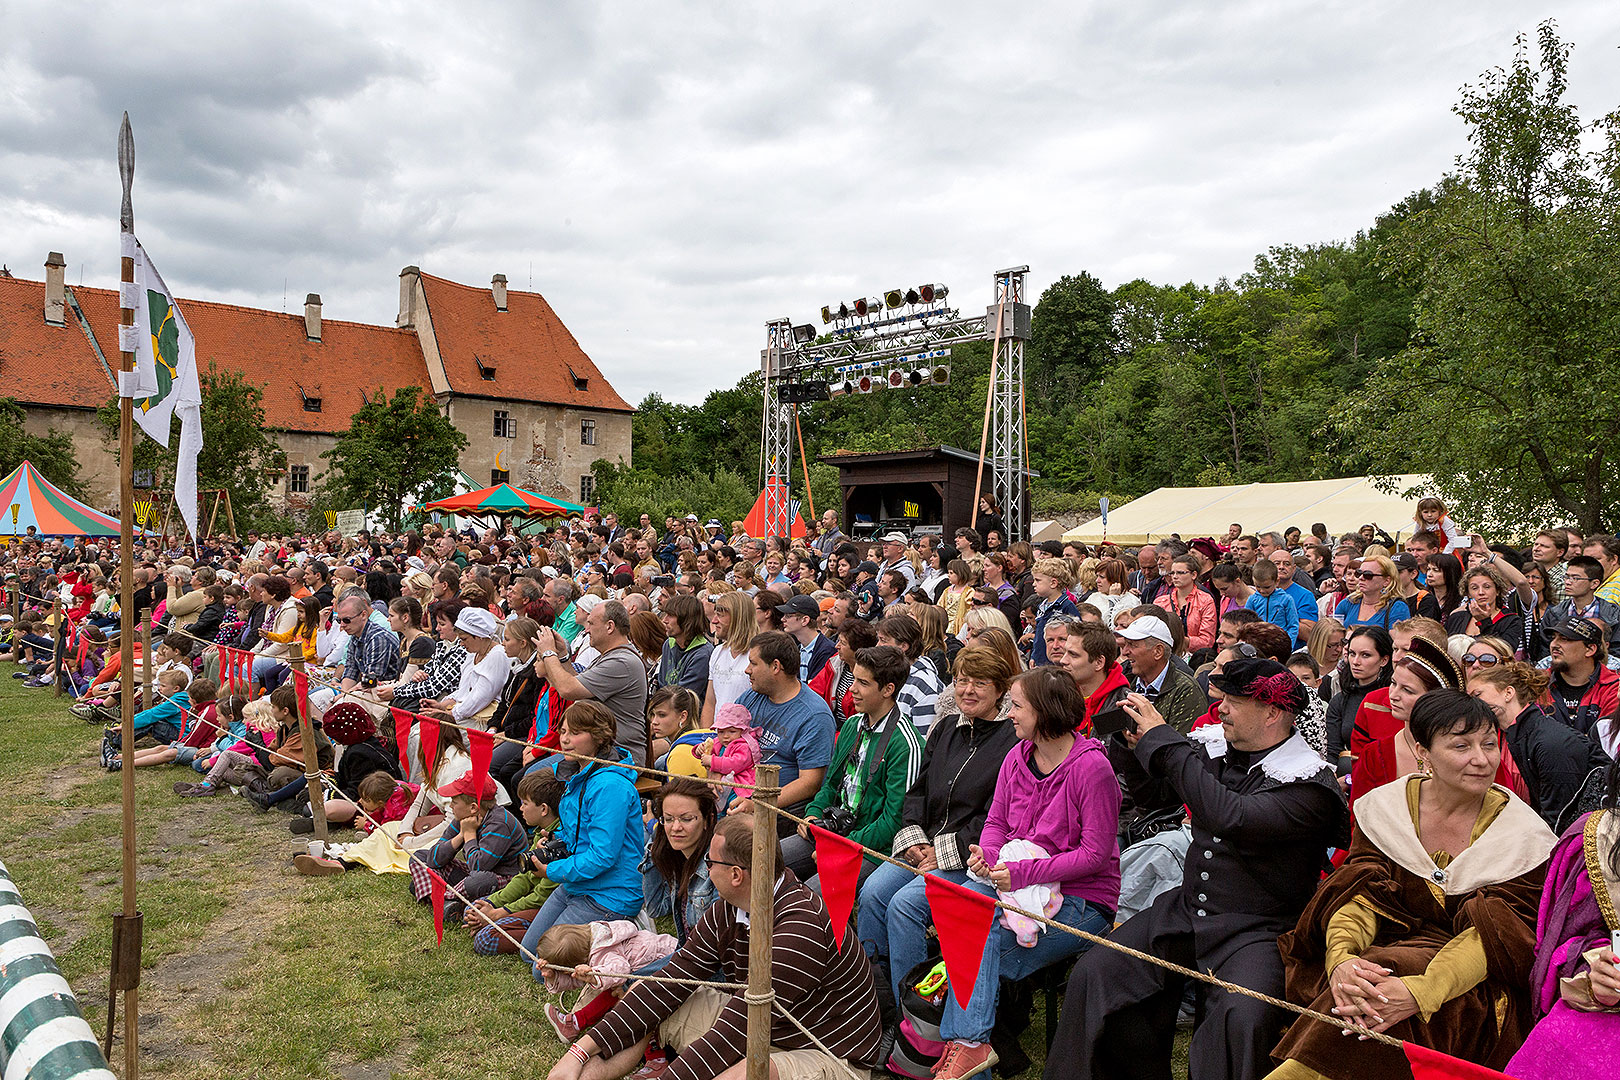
pixel 398 451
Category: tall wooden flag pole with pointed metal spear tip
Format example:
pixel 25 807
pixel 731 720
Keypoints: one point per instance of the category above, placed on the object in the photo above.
pixel 127 925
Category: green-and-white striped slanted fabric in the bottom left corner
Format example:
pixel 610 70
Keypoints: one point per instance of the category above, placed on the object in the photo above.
pixel 43 1035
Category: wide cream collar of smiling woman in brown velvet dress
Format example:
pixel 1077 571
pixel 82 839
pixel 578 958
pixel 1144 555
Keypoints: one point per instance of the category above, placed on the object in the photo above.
pixel 1517 843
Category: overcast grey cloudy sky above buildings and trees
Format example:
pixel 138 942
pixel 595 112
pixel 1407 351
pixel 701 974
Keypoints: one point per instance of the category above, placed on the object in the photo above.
pixel 671 176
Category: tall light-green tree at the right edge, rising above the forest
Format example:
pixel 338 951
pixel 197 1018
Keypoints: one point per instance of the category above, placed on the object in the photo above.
pixel 1517 268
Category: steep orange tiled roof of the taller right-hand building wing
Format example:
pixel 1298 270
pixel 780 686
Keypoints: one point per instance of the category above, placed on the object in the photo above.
pixel 532 354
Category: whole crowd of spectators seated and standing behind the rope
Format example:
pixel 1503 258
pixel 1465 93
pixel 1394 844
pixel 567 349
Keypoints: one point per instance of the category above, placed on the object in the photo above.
pixel 1373 778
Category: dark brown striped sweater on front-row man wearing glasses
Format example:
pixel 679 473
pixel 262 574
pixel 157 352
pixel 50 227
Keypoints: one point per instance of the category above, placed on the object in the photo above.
pixel 829 990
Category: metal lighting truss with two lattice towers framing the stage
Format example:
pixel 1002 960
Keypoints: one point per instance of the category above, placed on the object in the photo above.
pixel 859 346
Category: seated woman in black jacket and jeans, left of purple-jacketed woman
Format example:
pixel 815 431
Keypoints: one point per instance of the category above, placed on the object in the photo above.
pixel 945 807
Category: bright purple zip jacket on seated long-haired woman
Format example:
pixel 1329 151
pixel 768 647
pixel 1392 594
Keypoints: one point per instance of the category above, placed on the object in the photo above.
pixel 1075 814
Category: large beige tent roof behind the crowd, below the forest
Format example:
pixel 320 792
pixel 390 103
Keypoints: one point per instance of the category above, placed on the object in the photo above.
pixel 1342 506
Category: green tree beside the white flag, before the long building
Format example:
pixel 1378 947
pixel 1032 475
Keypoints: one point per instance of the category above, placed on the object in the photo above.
pixel 239 453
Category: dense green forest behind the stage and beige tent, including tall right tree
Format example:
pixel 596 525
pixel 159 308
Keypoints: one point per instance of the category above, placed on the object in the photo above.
pixel 1452 338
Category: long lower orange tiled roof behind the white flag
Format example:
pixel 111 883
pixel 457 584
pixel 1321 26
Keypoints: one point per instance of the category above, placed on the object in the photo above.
pixel 48 365
